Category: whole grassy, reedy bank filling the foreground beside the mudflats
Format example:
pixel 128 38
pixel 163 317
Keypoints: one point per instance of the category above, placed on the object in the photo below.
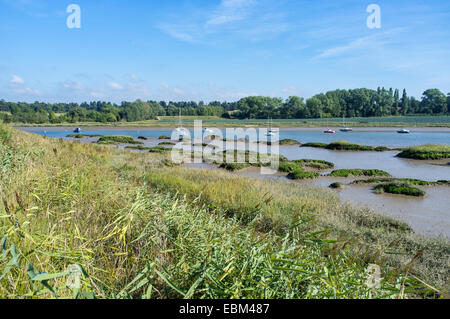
pixel 135 229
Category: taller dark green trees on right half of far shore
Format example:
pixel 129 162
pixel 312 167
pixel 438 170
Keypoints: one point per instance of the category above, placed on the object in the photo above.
pixel 348 103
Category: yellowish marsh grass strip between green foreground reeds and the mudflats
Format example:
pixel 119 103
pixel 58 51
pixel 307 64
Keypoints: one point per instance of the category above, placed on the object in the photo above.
pixel 290 204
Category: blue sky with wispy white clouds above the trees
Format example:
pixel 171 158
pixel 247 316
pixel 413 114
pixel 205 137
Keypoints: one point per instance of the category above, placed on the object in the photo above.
pixel 218 49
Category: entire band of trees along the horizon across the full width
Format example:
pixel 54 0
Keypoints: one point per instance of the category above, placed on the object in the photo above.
pixel 349 103
